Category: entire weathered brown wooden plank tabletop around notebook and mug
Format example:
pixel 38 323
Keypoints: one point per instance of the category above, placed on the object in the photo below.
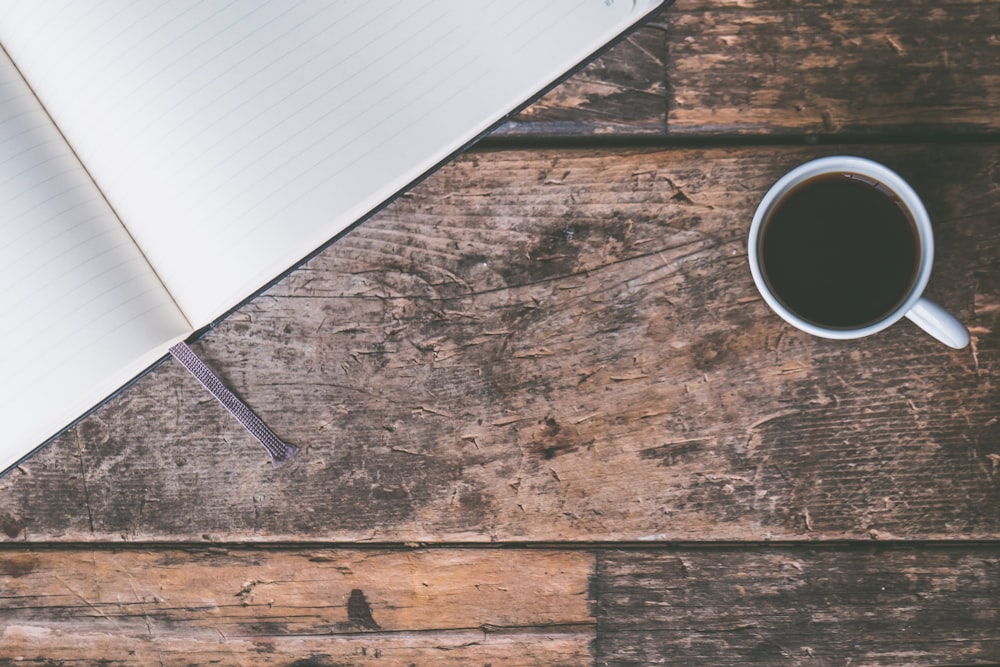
pixel 545 418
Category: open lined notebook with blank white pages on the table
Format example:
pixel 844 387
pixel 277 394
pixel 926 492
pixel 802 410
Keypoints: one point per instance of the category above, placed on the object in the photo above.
pixel 163 160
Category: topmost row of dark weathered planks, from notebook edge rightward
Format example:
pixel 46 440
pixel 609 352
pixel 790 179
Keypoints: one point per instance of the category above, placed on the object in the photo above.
pixel 779 67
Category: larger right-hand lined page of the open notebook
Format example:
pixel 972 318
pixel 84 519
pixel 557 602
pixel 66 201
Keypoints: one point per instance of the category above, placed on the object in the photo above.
pixel 233 138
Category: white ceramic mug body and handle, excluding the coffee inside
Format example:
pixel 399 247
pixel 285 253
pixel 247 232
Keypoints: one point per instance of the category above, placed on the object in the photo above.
pixel 926 314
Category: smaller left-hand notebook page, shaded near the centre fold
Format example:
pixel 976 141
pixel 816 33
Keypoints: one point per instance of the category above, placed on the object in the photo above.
pixel 81 308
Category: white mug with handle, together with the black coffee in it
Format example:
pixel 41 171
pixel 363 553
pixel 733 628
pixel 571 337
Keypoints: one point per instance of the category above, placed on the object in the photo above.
pixel 842 247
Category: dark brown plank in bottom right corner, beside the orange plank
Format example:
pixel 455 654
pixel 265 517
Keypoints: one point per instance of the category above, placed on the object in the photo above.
pixel 896 608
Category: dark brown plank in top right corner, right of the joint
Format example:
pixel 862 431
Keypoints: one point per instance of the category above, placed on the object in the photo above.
pixel 778 67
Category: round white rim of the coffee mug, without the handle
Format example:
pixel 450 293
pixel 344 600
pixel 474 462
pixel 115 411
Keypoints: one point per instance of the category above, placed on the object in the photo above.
pixel 883 175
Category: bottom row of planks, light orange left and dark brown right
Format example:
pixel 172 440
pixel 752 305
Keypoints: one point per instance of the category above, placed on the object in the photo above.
pixel 718 606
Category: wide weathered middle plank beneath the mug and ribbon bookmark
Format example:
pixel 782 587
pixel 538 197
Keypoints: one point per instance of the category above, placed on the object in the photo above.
pixel 561 346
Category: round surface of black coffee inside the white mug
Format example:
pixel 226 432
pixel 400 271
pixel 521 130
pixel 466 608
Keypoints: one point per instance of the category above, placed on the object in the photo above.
pixel 839 252
